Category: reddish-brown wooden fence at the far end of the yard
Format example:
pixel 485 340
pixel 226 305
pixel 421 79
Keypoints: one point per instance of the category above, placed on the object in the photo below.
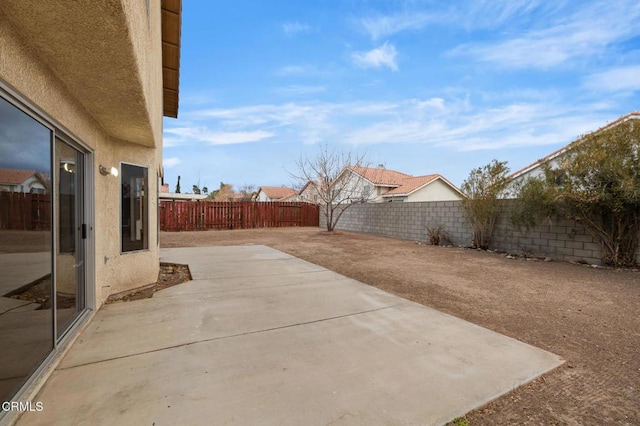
pixel 204 215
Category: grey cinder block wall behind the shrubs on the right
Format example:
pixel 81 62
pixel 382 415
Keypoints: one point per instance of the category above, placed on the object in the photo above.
pixel 559 239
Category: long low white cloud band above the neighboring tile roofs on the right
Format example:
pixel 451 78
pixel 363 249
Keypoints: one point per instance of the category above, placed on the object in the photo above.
pixel 515 125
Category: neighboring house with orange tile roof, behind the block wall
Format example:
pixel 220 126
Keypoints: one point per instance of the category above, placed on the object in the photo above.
pixel 382 185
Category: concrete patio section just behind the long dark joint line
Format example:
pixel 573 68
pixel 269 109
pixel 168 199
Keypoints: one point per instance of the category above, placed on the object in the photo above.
pixel 147 325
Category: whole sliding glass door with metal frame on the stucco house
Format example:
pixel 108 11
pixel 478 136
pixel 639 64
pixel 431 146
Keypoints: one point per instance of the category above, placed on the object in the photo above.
pixel 44 177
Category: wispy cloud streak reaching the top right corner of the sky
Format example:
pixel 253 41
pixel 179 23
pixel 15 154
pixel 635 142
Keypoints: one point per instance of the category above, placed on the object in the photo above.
pixel 584 34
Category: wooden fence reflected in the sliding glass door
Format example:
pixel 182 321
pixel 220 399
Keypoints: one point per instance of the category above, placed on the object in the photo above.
pixel 24 211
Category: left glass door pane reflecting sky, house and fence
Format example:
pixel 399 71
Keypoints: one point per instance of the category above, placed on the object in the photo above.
pixel 26 320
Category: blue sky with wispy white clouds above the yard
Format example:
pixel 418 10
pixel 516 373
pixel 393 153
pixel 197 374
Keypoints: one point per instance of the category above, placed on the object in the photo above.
pixel 419 86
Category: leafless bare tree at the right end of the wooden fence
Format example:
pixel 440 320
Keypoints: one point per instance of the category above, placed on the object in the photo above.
pixel 337 185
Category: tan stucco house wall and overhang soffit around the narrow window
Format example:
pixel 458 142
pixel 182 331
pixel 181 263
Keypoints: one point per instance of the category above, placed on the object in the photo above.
pixel 122 122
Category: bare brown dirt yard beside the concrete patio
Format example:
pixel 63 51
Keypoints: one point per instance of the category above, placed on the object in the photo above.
pixel 590 317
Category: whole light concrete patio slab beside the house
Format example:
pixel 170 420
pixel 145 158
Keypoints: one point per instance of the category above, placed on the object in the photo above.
pixel 327 351
